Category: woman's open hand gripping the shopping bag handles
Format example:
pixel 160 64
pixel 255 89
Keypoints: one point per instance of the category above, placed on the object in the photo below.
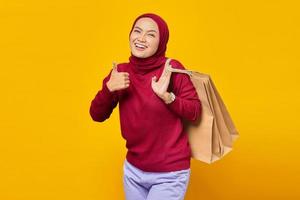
pixel 160 87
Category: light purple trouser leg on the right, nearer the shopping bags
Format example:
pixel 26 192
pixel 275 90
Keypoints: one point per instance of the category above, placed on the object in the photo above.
pixel 171 186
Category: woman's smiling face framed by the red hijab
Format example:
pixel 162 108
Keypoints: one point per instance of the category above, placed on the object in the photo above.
pixel 144 38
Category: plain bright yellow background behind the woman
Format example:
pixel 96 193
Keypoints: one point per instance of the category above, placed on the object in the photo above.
pixel 55 54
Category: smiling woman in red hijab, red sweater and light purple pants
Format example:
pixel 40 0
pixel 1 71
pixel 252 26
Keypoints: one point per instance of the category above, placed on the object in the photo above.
pixel 152 104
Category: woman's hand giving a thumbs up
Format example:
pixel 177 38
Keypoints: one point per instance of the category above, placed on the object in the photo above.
pixel 118 80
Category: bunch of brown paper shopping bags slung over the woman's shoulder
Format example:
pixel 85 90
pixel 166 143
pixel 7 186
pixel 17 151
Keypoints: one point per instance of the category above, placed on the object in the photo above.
pixel 211 137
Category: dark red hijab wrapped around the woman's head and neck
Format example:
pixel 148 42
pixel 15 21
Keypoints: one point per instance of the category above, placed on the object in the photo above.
pixel 144 65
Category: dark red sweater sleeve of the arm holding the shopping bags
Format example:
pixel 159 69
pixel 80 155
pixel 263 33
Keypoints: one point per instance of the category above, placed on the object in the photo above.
pixel 187 104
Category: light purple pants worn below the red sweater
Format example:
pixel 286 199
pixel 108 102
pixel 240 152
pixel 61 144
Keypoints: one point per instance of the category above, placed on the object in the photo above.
pixel 141 185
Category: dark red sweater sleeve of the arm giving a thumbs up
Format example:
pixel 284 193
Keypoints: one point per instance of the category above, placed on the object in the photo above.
pixel 104 102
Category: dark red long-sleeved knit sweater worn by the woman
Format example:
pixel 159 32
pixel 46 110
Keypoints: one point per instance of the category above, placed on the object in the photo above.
pixel 153 130
